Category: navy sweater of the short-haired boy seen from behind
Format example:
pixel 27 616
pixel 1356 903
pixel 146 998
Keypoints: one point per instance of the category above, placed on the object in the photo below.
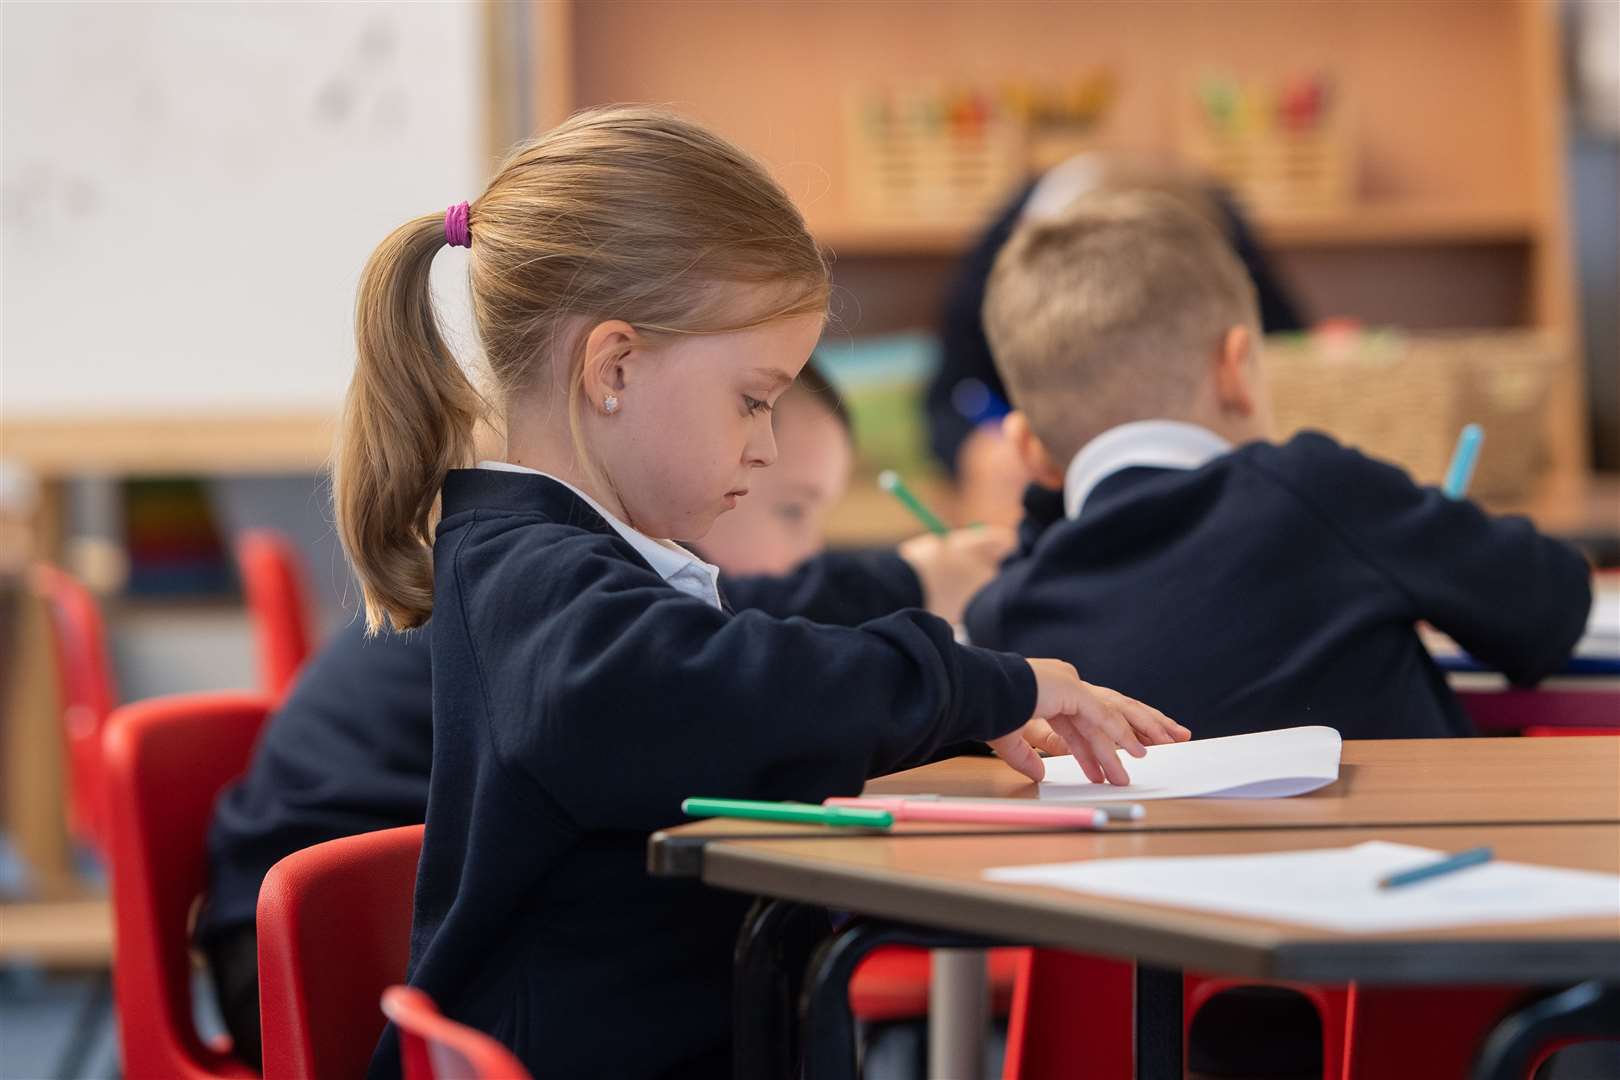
pixel 1281 585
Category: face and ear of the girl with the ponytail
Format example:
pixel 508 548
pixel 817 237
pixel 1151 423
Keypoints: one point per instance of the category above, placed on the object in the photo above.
pixel 694 420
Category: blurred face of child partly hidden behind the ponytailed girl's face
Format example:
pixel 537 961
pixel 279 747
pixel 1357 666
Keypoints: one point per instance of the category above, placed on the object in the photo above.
pixel 783 519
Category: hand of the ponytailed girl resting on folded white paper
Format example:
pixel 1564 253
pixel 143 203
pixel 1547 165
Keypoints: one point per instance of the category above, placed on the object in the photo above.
pixel 1093 723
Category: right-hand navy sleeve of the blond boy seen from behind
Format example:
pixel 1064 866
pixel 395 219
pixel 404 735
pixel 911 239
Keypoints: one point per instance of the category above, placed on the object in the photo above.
pixel 1514 598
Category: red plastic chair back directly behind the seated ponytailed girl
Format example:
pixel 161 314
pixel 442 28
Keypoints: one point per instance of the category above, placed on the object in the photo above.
pixel 335 933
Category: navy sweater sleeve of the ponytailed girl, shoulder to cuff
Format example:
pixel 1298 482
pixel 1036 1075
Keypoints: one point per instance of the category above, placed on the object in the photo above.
pixel 633 695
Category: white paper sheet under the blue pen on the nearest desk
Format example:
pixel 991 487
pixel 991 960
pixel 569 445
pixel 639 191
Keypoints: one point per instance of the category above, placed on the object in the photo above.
pixel 1339 888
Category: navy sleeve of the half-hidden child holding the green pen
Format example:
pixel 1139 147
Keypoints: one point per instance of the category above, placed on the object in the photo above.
pixel 843 589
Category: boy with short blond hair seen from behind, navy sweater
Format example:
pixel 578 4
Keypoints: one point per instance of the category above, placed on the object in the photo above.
pixel 1285 580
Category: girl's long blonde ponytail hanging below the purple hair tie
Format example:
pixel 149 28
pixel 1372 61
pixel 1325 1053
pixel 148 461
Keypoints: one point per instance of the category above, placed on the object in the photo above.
pixel 407 422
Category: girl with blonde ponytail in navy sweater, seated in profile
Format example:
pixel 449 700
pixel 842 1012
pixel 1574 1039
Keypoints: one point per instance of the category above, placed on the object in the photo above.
pixel 644 296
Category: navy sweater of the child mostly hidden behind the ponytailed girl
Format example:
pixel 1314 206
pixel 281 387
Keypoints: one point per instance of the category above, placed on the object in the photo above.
pixel 351 747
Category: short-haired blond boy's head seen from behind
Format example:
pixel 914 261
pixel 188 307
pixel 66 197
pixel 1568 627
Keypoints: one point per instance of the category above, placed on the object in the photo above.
pixel 1128 307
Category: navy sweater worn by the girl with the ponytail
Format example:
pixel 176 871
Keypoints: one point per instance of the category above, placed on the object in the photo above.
pixel 578 699
